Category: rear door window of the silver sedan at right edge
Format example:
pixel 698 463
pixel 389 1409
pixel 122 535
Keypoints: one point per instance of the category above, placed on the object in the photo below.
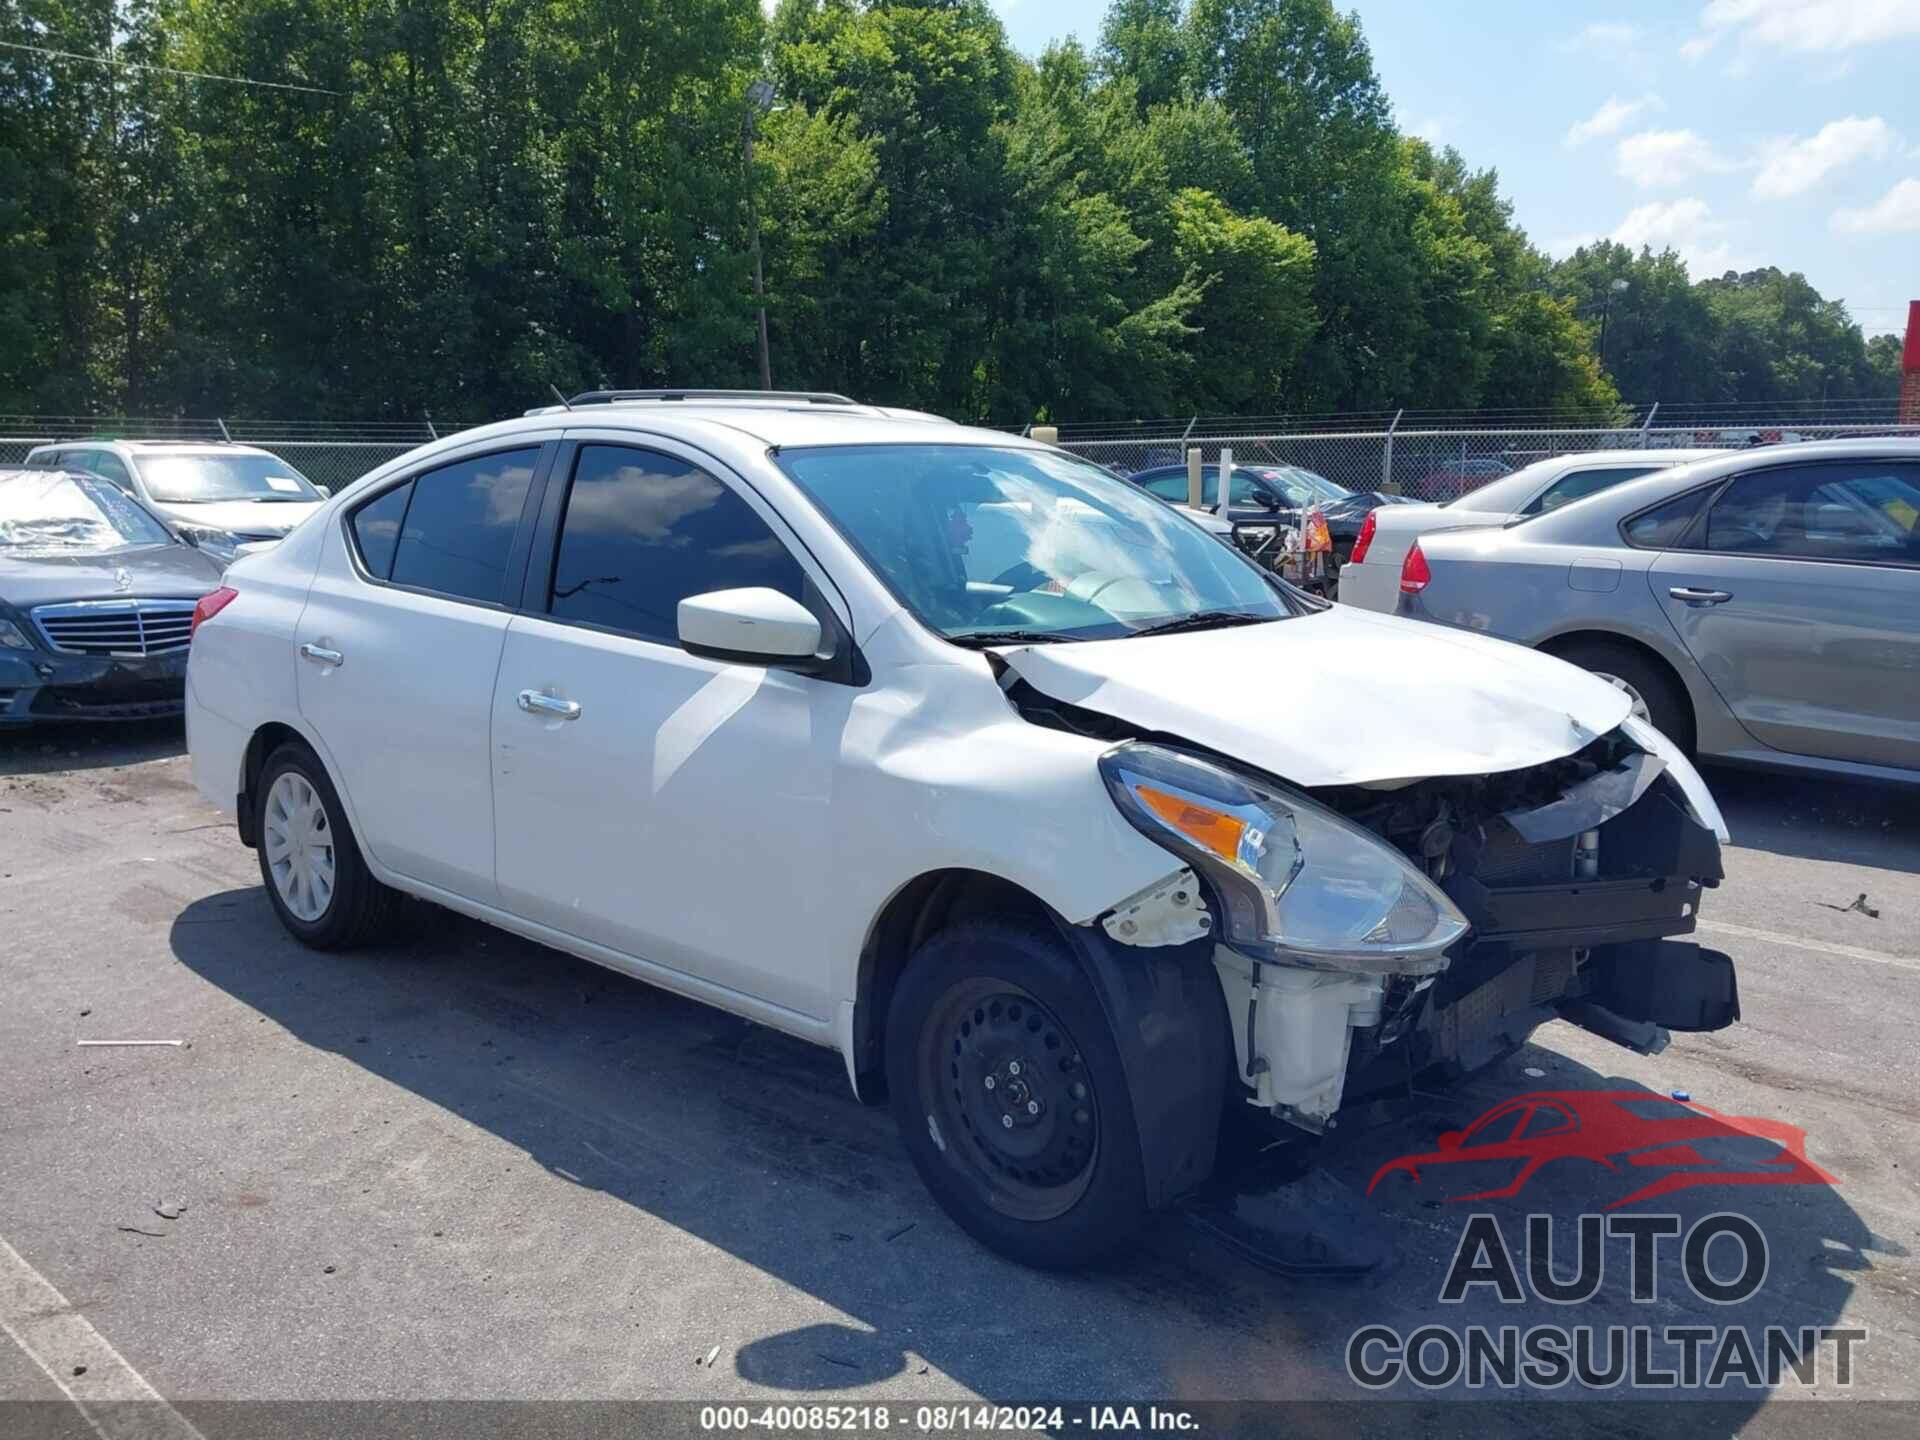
pixel 1840 512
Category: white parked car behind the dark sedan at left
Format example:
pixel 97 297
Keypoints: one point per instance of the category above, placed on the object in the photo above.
pixel 218 496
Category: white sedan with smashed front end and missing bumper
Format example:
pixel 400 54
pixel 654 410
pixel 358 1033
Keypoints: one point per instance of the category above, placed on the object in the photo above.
pixel 1065 825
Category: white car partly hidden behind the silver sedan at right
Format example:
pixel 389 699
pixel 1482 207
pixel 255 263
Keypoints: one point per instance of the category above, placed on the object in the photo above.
pixel 1372 575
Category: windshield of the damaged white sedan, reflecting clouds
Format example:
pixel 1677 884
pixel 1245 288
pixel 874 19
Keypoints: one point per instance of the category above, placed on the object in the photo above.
pixel 1026 542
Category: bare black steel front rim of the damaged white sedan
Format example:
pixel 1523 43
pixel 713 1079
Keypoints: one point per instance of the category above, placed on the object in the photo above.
pixel 1013 1099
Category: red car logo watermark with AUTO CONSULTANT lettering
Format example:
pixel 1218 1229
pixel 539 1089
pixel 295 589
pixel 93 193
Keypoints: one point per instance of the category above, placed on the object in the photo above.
pixel 1639 1147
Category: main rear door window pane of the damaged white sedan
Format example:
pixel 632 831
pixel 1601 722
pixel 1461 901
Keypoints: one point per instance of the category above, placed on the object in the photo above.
pixel 462 523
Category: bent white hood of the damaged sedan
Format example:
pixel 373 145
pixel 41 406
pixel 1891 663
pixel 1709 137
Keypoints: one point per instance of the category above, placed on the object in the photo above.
pixel 1339 698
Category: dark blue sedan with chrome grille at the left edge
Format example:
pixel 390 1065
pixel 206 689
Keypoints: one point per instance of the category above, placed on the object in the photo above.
pixel 97 602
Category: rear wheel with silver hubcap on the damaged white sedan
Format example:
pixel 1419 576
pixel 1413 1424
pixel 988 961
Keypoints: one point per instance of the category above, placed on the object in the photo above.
pixel 310 861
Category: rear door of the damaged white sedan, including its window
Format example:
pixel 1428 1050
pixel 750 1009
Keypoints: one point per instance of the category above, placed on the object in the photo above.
pixel 398 648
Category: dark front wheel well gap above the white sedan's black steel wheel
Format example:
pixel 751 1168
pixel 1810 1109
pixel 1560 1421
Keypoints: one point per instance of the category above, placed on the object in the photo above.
pixel 909 921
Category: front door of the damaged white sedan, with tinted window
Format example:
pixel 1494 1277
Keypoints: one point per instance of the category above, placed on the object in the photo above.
pixel 669 807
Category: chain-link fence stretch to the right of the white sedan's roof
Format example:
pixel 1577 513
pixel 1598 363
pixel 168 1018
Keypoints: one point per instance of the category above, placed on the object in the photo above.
pixel 1441 464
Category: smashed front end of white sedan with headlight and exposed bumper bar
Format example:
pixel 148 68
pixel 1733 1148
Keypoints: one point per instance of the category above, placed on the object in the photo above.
pixel 1378 934
